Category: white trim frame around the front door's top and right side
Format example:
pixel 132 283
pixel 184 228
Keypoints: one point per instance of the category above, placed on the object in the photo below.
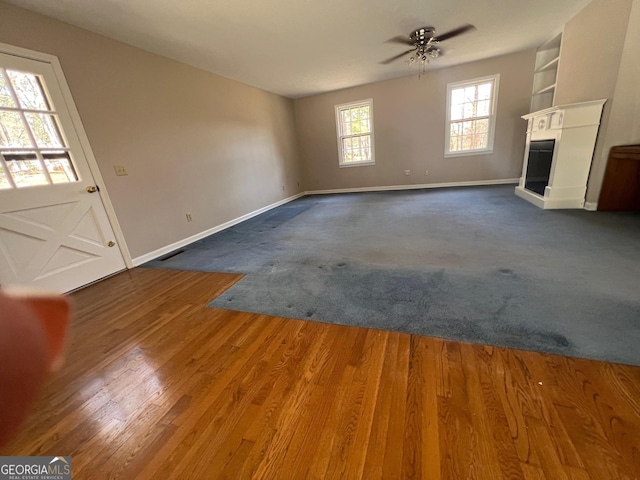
pixel 82 136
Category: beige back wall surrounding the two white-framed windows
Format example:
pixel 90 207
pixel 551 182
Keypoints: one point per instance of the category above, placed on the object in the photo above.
pixel 409 129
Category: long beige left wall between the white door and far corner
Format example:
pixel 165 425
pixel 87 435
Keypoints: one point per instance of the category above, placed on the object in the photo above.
pixel 191 141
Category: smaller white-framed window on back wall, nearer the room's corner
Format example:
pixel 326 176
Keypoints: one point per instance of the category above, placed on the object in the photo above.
pixel 354 123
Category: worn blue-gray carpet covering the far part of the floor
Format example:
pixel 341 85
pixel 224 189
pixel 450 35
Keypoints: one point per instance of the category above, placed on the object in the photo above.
pixel 470 264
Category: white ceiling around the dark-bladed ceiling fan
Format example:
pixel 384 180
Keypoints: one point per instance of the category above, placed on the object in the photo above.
pixel 297 48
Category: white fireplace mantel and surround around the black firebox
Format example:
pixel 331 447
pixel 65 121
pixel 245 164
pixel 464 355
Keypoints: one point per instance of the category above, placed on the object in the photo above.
pixel 574 128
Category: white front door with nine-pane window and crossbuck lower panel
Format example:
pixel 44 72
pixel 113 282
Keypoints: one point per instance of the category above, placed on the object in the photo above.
pixel 54 230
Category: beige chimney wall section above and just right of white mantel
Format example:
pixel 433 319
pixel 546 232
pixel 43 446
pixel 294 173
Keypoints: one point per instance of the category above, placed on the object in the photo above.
pixel 592 46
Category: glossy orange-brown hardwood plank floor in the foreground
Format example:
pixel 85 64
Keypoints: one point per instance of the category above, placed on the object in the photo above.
pixel 156 385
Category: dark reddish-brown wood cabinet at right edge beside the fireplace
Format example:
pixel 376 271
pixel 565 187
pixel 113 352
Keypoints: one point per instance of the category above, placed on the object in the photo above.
pixel 621 184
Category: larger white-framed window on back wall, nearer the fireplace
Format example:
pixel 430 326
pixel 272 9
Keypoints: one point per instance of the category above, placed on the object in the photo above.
pixel 471 116
